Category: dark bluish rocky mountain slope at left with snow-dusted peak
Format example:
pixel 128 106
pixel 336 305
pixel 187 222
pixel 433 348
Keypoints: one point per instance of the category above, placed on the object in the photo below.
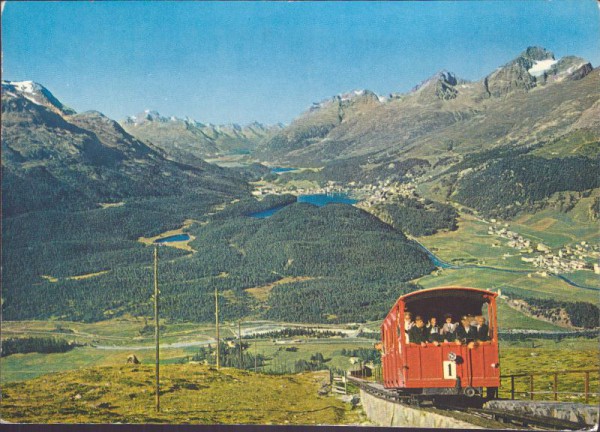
pixel 53 157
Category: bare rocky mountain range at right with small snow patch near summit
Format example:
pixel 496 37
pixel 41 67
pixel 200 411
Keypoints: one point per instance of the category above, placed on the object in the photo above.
pixel 532 98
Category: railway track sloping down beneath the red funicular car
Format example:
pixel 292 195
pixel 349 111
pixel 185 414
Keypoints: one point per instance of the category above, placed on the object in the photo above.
pixel 502 416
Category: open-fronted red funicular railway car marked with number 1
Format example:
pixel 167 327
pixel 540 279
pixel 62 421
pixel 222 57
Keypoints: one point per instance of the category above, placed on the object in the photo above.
pixel 428 371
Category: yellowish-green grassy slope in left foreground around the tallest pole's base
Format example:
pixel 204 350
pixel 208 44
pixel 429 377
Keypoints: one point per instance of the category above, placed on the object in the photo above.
pixel 190 394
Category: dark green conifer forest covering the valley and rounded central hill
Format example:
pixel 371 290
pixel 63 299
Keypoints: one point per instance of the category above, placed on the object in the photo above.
pixel 344 256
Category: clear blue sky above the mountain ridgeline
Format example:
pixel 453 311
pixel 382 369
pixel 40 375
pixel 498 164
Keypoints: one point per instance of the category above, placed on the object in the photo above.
pixel 225 62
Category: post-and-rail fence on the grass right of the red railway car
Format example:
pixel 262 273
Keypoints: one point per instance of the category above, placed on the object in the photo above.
pixel 524 384
